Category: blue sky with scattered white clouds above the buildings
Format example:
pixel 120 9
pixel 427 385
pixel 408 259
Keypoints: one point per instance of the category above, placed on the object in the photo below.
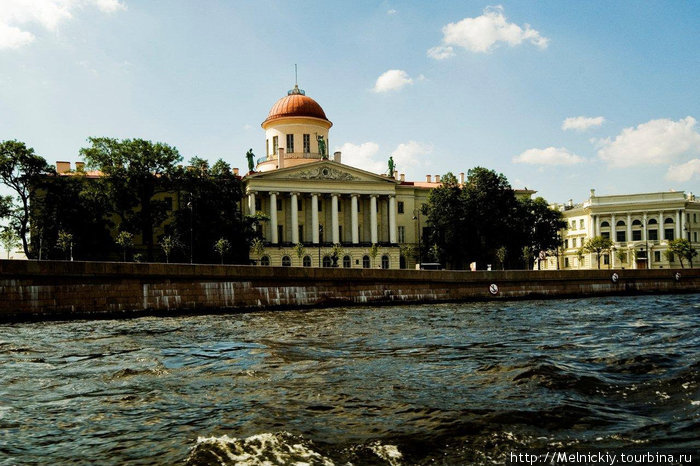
pixel 559 96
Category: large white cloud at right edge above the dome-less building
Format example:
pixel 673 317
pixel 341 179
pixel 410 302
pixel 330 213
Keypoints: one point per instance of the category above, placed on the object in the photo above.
pixel 652 143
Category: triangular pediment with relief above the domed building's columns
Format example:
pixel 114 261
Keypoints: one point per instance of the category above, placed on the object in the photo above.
pixel 323 170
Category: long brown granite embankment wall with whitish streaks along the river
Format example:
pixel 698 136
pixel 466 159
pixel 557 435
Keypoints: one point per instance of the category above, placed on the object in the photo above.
pixel 53 289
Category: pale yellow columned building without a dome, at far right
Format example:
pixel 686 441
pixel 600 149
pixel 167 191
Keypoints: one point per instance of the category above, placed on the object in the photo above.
pixel 639 225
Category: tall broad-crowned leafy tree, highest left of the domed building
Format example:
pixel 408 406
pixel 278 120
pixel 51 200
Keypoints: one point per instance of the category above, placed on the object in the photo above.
pixel 135 171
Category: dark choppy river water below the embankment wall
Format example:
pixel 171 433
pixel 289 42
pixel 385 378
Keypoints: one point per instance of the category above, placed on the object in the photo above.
pixel 439 384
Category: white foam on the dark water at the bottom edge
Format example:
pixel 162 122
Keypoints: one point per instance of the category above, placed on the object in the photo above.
pixel 260 450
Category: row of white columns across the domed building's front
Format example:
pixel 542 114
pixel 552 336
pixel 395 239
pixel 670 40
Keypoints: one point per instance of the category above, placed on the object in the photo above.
pixel 335 222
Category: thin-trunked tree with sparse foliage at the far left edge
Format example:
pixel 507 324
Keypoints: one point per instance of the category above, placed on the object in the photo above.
pixel 20 168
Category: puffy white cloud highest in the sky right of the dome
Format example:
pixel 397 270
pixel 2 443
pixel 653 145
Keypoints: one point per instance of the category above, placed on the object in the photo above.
pixel 483 33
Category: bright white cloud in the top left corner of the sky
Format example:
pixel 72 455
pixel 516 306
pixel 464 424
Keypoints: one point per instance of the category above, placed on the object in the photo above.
pixel 48 14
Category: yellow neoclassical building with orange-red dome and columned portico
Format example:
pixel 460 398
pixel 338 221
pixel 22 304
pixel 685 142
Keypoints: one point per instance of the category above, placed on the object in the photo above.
pixel 311 199
